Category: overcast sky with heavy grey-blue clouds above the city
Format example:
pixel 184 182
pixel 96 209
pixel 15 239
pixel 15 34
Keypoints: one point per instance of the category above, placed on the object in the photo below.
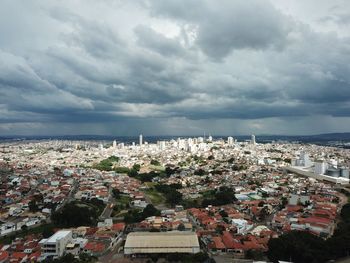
pixel 174 67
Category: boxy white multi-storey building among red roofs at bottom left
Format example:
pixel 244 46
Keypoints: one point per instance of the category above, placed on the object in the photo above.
pixel 55 245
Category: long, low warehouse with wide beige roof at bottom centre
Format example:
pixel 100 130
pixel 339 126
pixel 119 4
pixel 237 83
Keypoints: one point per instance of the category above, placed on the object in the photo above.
pixel 161 242
